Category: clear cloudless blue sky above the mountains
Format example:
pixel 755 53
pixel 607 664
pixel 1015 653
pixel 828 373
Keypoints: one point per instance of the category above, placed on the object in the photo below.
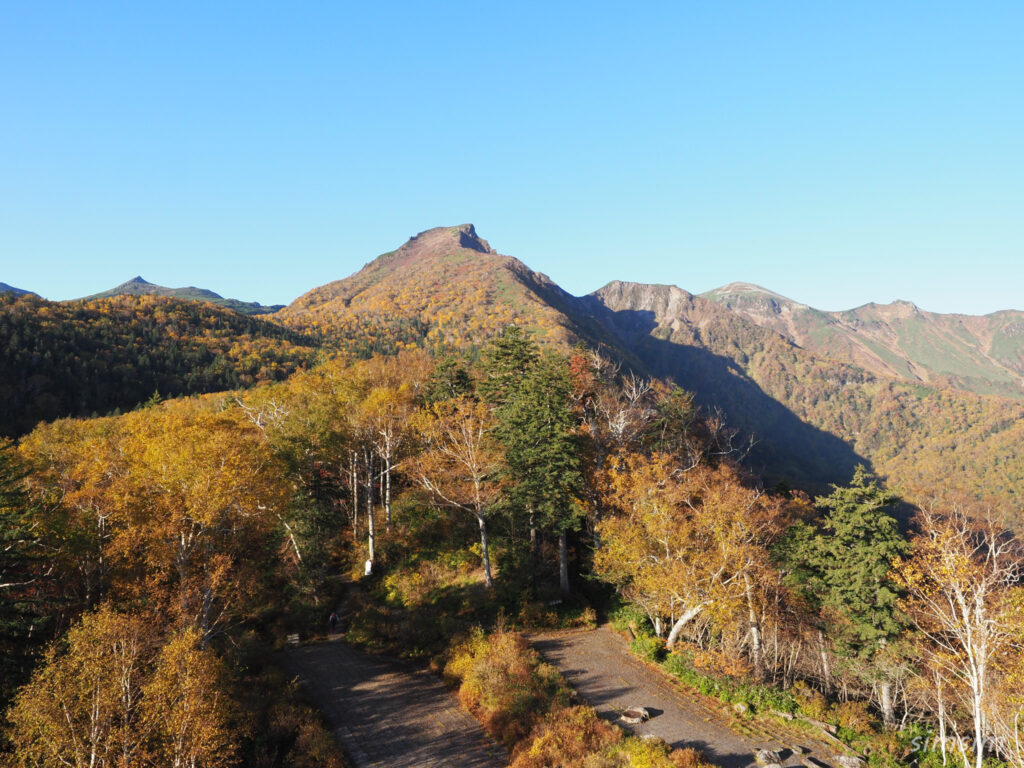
pixel 835 153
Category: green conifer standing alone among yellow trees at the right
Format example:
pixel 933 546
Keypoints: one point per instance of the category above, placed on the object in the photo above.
pixel 842 568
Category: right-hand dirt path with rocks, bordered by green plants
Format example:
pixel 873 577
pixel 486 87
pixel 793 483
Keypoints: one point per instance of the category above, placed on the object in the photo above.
pixel 599 664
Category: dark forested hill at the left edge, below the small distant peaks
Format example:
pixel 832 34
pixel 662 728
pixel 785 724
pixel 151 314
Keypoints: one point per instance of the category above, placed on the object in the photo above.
pixel 76 359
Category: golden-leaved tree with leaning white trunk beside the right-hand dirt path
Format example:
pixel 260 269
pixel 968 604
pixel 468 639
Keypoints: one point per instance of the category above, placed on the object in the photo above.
pixel 682 544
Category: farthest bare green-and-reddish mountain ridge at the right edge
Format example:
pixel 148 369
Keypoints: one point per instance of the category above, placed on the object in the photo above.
pixel 984 355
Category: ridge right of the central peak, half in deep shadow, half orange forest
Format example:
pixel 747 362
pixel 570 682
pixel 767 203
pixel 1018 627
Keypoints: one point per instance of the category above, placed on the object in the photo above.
pixel 922 438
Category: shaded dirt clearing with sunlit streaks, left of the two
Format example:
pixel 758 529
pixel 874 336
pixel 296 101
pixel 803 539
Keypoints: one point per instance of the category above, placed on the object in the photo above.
pixel 391 714
